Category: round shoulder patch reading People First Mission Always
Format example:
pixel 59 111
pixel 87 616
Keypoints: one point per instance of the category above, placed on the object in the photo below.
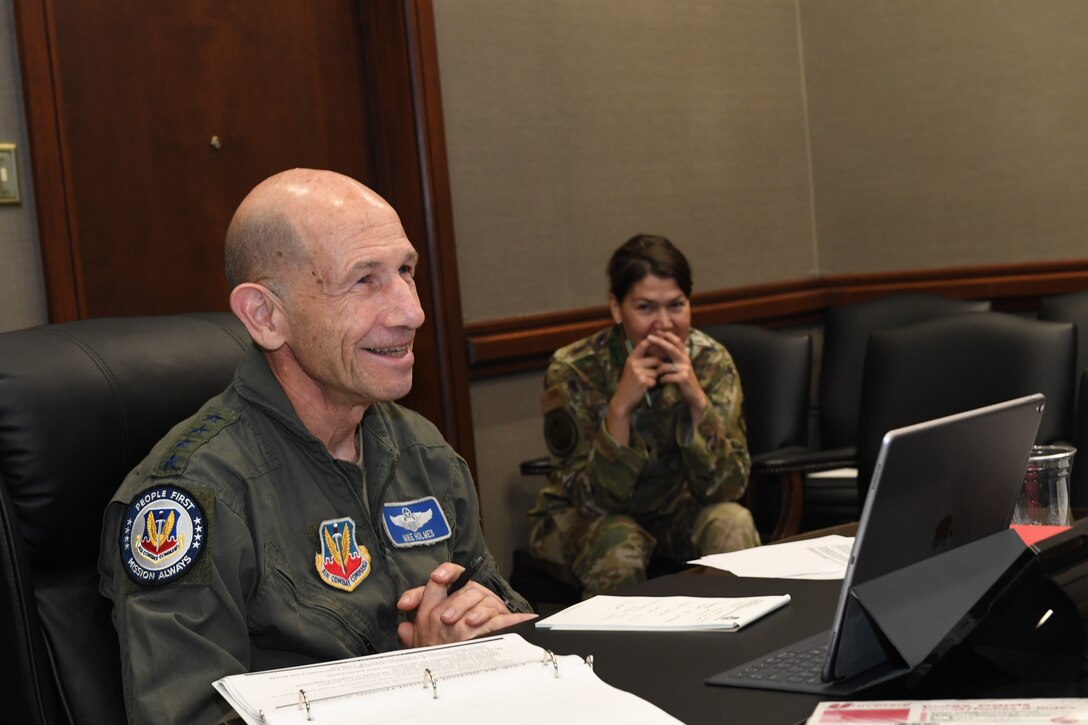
pixel 163 535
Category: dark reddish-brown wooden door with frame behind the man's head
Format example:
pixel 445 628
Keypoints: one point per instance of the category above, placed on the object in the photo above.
pixel 151 121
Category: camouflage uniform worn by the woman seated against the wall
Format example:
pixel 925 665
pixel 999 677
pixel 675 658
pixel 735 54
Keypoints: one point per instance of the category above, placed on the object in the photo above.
pixel 609 508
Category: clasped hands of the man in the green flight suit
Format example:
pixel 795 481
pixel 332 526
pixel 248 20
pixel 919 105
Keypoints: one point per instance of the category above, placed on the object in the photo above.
pixel 440 618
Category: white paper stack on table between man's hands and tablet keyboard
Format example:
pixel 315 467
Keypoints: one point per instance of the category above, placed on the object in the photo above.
pixel 665 613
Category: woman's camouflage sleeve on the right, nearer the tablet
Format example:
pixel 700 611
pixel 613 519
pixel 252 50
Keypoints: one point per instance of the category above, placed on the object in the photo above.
pixel 716 453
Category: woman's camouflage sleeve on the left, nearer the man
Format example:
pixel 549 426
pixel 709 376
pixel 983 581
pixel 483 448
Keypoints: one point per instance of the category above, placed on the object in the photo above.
pixel 598 473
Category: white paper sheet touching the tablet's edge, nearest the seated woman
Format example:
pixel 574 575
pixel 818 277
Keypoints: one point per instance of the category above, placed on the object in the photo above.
pixel 824 558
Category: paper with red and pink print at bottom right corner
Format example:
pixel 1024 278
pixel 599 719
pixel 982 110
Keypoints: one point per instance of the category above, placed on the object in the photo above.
pixel 953 712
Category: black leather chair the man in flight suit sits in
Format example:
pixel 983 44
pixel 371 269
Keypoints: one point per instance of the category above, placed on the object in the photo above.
pixel 81 403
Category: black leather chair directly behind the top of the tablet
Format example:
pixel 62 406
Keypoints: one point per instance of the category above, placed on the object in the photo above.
pixel 957 364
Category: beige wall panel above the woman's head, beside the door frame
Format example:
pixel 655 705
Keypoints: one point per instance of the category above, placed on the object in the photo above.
pixel 572 126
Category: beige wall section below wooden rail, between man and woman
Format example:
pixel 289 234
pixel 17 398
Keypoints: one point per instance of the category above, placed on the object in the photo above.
pixel 509 429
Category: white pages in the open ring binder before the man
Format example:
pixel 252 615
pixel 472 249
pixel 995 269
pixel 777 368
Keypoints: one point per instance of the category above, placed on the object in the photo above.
pixel 498 680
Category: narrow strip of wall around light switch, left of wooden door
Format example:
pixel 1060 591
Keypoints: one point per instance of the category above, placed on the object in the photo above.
pixel 22 289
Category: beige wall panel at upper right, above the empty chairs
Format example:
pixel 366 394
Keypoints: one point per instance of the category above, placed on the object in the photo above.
pixel 947 134
